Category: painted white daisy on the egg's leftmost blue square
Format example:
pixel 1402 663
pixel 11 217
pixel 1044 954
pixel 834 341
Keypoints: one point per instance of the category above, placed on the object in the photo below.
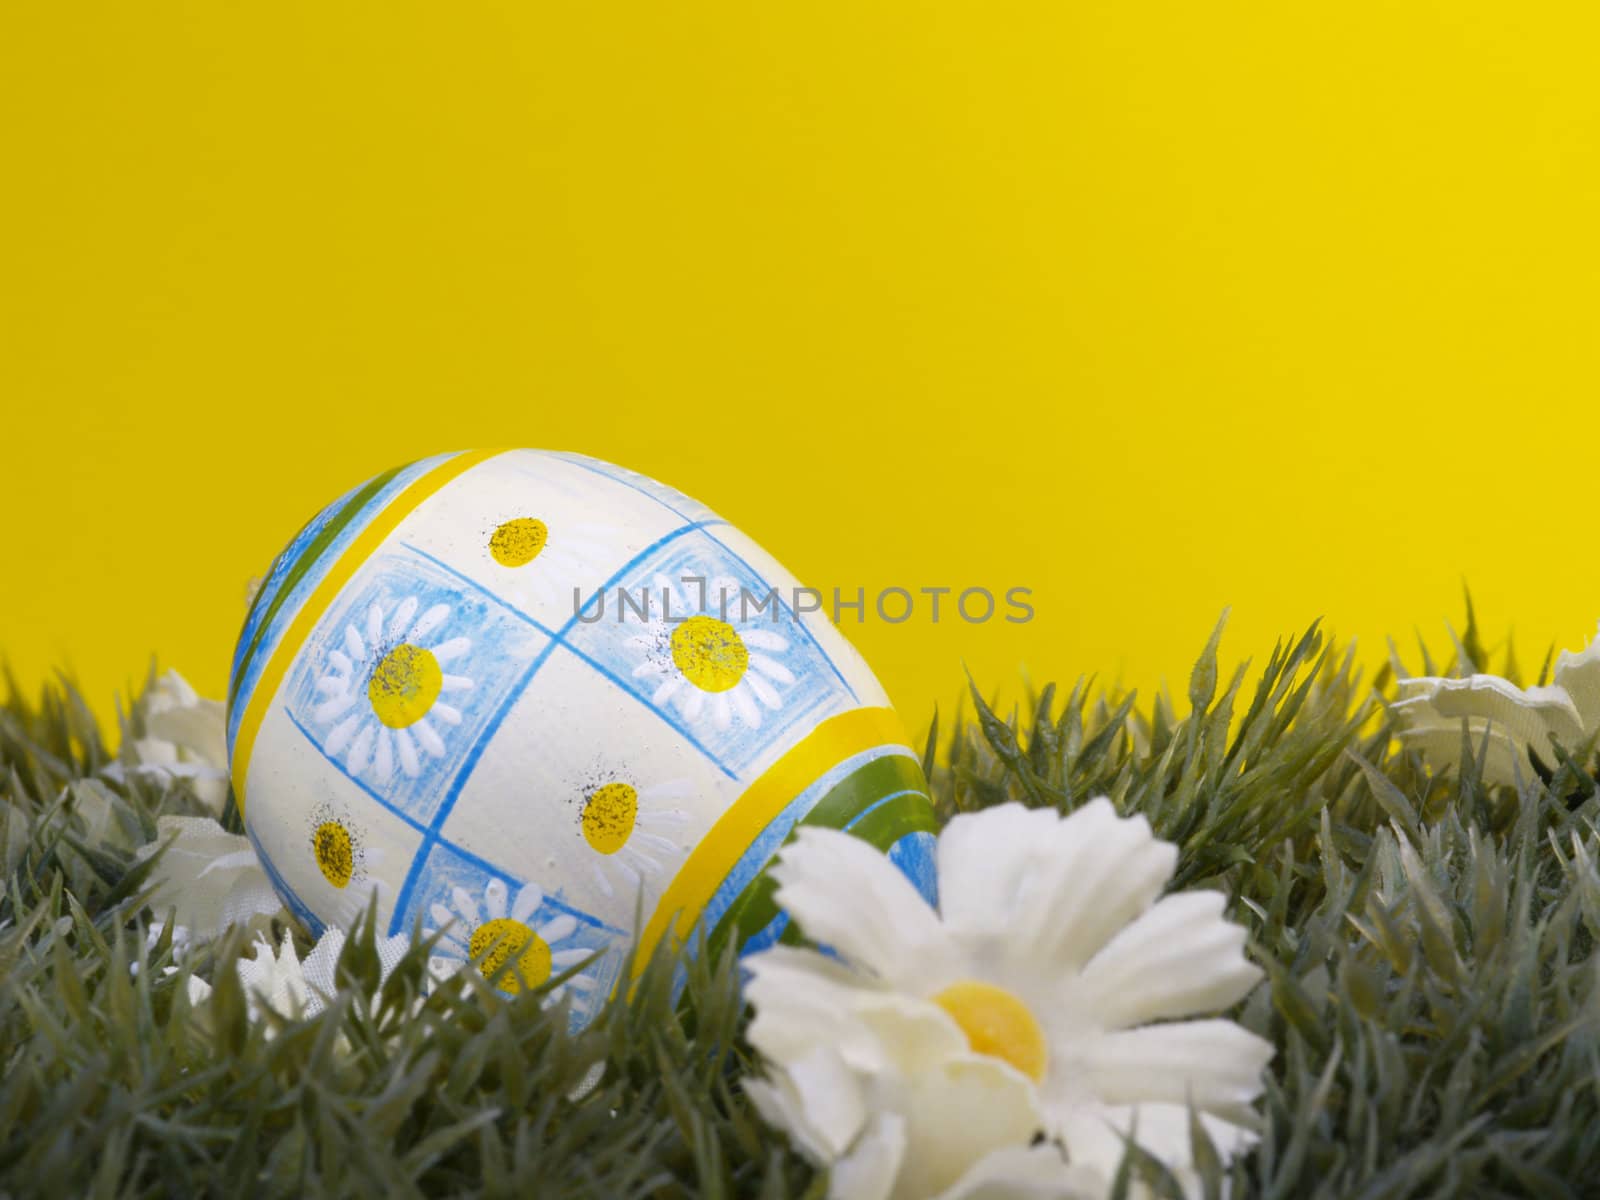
pixel 396 686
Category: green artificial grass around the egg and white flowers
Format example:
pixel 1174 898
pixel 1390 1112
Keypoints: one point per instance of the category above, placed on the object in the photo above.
pixel 1428 942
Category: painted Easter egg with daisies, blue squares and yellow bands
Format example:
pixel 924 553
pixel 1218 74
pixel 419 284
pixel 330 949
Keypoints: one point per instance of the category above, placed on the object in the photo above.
pixel 551 710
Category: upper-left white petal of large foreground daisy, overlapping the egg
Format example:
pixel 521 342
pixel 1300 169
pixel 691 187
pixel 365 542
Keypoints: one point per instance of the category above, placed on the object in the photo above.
pixel 850 897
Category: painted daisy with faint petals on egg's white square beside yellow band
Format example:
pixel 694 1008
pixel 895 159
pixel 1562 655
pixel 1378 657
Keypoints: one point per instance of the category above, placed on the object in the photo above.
pixel 631 834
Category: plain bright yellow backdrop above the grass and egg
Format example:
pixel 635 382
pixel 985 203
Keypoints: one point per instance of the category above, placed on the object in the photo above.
pixel 1150 308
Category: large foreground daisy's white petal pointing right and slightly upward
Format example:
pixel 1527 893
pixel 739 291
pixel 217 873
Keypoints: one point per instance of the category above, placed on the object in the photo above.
pixel 1180 959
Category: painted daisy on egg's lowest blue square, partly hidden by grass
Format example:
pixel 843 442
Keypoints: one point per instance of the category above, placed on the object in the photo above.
pixel 502 929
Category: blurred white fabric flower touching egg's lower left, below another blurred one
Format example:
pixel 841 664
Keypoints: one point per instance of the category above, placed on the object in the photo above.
pixel 210 878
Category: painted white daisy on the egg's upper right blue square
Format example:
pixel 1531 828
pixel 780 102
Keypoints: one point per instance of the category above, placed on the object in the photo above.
pixel 711 660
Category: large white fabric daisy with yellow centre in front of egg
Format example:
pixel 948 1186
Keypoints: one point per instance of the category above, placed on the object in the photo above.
pixel 1047 994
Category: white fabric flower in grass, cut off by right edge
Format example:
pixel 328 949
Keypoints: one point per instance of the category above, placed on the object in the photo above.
pixel 1518 721
